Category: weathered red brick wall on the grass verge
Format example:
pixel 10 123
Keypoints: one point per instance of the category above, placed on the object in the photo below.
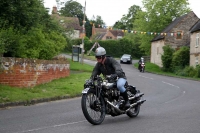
pixel 21 72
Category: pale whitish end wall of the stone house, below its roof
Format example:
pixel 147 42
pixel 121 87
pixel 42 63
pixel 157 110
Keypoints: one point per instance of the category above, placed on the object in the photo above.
pixel 156 52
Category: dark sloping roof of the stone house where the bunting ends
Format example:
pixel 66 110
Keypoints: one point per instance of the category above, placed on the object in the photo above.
pixel 169 28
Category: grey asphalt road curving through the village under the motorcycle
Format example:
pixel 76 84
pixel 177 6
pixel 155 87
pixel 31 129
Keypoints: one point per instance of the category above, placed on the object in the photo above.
pixel 172 106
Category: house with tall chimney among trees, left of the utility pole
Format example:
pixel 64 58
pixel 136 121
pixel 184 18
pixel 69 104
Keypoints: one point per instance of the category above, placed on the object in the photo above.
pixel 71 24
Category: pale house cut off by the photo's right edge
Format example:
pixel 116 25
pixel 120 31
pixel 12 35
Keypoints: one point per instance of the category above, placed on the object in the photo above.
pixel 195 45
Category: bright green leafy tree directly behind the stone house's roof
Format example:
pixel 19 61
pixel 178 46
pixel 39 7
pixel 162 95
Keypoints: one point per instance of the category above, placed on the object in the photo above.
pixel 157 15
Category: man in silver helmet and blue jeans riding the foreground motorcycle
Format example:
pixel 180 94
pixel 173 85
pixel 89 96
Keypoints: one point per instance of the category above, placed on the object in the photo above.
pixel 106 65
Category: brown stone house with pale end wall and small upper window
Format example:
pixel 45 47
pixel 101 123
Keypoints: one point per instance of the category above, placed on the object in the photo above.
pixel 176 34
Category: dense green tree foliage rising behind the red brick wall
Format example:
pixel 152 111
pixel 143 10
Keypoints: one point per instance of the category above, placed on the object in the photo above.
pixel 27 30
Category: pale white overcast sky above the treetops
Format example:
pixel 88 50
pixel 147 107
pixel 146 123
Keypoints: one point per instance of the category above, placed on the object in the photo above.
pixel 112 10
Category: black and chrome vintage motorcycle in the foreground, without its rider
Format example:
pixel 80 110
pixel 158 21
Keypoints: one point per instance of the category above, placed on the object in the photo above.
pixel 101 97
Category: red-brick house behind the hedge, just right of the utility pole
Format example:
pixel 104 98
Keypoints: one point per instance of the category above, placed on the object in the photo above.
pixel 105 34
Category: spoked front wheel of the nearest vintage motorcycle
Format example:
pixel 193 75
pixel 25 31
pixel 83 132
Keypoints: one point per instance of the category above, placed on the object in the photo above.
pixel 93 108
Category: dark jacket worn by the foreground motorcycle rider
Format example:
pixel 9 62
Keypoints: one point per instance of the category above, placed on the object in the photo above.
pixel 110 66
